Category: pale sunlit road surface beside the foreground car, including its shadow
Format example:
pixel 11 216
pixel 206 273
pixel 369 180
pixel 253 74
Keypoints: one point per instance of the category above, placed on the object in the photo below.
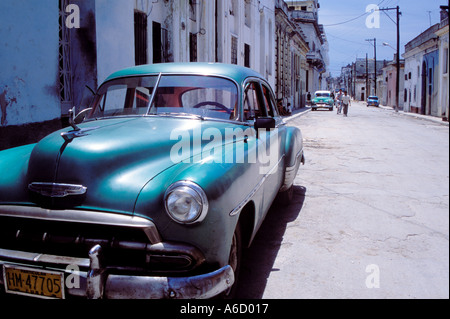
pixel 370 218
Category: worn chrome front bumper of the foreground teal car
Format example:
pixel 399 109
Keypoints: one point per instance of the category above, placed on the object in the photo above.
pixel 96 283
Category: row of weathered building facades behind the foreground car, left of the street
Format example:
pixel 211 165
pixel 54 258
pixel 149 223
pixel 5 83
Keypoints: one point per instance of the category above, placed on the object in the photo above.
pixel 68 44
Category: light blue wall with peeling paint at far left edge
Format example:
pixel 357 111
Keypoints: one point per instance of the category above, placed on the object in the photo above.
pixel 28 61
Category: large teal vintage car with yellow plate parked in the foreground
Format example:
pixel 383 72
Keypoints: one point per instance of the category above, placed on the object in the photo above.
pixel 152 192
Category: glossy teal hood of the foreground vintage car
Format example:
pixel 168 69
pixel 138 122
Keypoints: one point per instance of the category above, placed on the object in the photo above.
pixel 114 159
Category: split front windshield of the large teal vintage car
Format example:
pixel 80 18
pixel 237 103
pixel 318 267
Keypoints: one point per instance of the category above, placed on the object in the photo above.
pixel 168 95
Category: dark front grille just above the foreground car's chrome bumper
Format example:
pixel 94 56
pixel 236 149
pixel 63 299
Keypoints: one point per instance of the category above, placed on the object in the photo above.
pixel 126 249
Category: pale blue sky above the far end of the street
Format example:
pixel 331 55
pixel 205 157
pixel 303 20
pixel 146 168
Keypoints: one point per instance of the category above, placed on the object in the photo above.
pixel 347 31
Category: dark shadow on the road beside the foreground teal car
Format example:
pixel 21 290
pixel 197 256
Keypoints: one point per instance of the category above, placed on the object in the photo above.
pixel 258 260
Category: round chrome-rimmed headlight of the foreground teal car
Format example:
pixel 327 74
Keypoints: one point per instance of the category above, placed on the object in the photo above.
pixel 186 202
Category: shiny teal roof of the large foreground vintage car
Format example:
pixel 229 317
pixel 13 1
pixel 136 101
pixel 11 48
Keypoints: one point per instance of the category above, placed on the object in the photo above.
pixel 235 72
